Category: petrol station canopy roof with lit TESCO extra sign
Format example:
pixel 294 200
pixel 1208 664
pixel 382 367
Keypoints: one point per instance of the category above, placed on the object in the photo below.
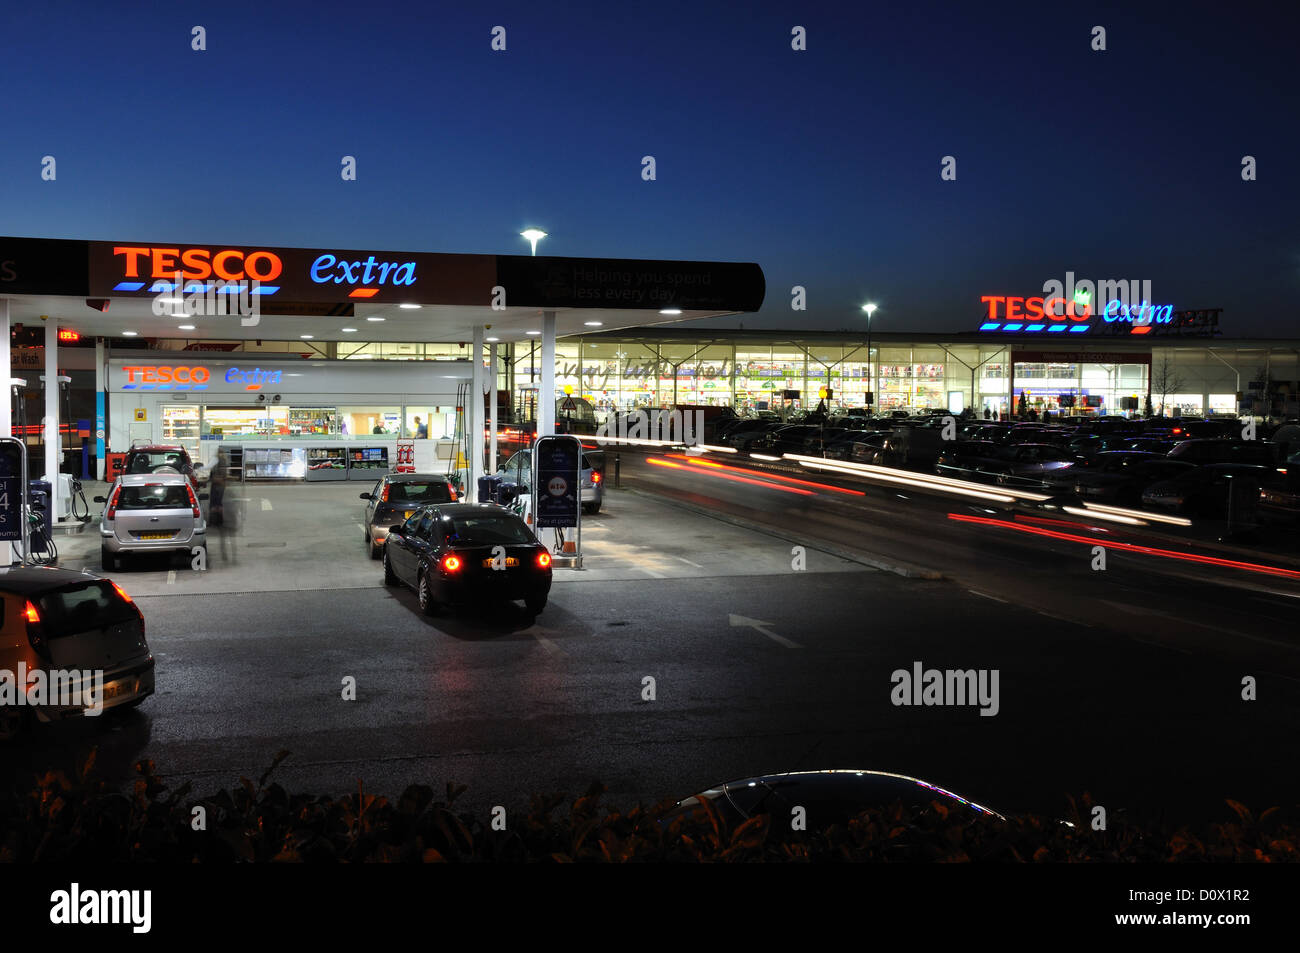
pixel 105 288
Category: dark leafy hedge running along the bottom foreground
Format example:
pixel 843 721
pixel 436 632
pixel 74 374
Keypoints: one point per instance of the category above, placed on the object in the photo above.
pixel 81 820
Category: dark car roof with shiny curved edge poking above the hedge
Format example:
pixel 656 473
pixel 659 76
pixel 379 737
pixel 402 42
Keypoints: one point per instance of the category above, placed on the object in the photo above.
pixel 829 798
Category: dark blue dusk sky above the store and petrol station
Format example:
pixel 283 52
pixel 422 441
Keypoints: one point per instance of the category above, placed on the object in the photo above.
pixel 821 166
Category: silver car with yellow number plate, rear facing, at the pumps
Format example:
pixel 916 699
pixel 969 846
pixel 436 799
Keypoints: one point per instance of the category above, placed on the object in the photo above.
pixel 151 513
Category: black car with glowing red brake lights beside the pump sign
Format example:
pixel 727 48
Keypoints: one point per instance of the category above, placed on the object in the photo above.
pixel 469 553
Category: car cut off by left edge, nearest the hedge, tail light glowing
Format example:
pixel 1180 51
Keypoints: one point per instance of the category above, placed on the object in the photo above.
pixel 58 621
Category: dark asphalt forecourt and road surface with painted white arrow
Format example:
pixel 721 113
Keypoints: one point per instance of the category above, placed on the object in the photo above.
pixel 768 655
